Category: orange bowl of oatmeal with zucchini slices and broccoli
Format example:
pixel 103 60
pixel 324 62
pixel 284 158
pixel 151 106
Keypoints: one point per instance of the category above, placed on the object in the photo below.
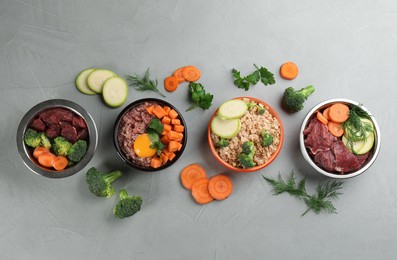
pixel 245 134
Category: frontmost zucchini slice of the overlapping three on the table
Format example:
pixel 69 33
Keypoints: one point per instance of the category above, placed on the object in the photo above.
pixel 115 91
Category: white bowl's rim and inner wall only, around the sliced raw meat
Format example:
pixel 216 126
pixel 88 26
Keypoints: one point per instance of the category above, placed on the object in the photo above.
pixel 373 153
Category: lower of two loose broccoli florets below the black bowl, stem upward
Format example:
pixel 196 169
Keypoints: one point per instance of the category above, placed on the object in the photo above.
pixel 127 205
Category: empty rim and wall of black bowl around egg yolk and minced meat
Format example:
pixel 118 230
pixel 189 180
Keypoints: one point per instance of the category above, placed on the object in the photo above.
pixel 116 130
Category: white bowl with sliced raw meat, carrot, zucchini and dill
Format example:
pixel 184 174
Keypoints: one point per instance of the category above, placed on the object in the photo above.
pixel 349 150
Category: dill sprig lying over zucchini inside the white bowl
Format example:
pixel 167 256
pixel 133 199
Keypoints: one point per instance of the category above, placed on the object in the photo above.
pixel 357 129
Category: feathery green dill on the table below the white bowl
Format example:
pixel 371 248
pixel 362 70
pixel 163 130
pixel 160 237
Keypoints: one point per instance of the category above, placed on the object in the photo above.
pixel 319 202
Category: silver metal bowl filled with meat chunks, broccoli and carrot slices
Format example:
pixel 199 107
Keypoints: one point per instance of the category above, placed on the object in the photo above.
pixel 56 138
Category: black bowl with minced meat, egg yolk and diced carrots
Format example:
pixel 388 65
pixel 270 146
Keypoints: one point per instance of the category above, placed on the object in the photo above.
pixel 150 134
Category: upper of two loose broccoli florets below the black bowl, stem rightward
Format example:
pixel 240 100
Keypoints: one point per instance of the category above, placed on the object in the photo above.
pixel 100 183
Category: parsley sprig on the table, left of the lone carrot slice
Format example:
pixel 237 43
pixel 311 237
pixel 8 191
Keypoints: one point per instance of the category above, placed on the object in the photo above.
pixel 262 74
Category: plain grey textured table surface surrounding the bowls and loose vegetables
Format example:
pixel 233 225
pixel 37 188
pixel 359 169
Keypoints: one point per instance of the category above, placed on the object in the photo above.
pixel 344 48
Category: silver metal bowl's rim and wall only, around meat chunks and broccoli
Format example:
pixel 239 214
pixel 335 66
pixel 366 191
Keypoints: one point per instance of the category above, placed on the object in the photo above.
pixel 26 153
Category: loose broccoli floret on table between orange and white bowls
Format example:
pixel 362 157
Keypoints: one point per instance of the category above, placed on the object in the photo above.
pixel 294 100
